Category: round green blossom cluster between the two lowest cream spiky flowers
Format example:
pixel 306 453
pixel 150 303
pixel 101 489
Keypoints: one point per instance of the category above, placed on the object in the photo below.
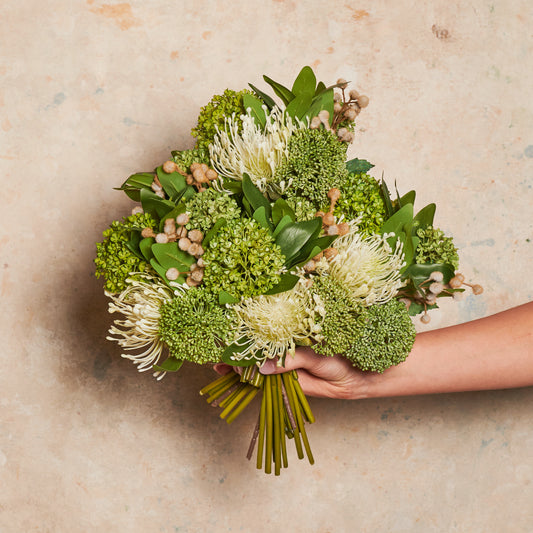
pixel 194 326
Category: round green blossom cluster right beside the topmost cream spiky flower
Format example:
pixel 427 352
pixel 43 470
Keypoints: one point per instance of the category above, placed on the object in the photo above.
pixel 316 163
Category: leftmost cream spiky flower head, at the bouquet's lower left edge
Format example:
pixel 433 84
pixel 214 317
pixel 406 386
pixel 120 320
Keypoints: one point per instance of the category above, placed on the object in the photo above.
pixel 140 303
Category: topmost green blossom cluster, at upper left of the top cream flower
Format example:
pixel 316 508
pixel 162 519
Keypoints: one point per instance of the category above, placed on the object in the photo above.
pixel 214 113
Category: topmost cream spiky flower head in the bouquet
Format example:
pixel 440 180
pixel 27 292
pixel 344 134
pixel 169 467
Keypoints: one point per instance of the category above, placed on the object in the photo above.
pixel 254 151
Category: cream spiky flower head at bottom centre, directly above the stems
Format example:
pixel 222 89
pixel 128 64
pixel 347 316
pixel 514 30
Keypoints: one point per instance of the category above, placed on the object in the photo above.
pixel 273 325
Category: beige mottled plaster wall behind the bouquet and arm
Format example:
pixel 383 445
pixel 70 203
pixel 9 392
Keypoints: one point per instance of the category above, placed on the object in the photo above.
pixel 95 90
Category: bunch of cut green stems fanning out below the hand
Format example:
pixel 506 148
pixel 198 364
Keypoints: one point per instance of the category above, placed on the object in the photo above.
pixel 284 411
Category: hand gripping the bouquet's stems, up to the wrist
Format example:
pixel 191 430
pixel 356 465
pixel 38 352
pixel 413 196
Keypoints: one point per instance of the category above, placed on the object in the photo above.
pixel 320 376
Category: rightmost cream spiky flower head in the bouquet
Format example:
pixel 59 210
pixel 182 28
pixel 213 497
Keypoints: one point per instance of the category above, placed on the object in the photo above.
pixel 368 267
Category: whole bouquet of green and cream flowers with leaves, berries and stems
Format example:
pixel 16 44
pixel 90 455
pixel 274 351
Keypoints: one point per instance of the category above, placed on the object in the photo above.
pixel 264 238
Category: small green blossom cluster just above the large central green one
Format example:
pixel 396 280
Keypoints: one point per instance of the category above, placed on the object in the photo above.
pixel 207 207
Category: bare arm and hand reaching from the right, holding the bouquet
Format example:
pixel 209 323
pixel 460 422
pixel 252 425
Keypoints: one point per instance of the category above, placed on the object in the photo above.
pixel 495 352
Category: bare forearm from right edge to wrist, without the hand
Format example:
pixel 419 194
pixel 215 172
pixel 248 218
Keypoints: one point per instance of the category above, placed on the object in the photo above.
pixel 491 353
